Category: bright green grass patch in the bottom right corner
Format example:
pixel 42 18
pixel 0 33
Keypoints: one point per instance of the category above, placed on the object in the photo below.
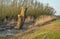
pixel 54 35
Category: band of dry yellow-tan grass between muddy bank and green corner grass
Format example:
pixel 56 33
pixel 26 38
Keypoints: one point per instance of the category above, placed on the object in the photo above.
pixel 49 28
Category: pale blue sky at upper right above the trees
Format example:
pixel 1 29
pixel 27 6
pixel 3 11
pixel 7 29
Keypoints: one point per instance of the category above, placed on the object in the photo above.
pixel 53 3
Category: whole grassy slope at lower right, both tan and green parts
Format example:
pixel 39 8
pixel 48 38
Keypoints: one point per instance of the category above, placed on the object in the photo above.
pixel 49 31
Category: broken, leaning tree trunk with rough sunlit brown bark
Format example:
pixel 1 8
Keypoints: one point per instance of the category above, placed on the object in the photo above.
pixel 21 18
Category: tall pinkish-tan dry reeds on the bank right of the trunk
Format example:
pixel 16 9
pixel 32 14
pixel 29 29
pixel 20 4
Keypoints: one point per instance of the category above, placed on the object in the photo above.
pixel 43 19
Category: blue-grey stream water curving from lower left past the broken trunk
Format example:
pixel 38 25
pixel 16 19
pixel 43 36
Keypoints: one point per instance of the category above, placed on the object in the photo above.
pixel 14 31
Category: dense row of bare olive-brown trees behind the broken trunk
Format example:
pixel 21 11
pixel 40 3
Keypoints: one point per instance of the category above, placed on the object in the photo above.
pixel 11 9
